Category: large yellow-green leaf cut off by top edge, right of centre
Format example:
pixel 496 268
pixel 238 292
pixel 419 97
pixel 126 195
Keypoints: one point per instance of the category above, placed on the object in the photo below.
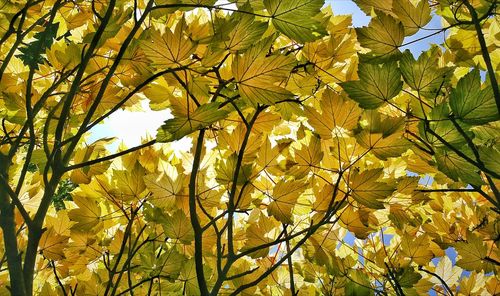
pixel 295 18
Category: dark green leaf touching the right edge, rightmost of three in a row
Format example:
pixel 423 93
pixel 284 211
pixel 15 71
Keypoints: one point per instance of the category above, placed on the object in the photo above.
pixel 472 104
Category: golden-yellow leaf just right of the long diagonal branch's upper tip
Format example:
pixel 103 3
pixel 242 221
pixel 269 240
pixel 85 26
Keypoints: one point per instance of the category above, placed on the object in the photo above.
pixel 367 191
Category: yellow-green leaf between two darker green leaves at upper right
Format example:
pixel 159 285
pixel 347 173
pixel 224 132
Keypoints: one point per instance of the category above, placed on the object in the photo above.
pixel 423 75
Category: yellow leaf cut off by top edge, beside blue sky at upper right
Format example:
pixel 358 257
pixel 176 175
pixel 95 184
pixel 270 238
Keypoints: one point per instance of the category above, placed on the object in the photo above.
pixel 413 17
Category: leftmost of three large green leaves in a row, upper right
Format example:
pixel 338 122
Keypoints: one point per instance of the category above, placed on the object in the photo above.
pixel 377 85
